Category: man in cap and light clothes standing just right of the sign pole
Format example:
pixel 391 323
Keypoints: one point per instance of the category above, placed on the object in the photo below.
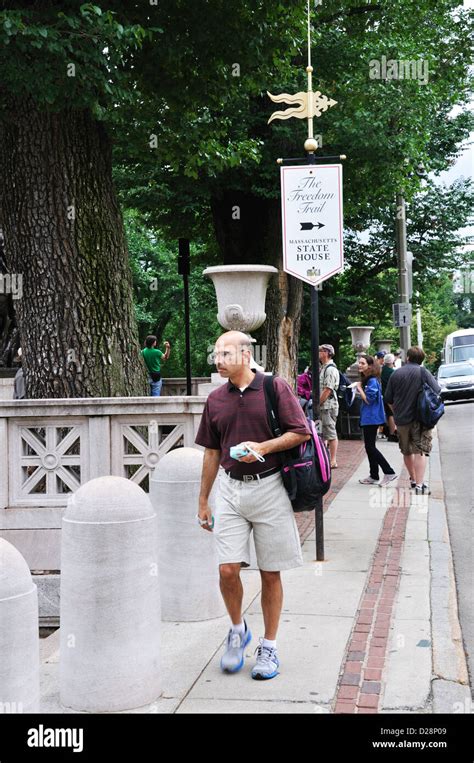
pixel 328 400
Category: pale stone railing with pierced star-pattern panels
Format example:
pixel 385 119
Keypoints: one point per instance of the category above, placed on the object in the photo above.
pixel 49 448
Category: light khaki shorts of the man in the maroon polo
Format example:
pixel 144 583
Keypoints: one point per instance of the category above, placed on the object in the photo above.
pixel 264 507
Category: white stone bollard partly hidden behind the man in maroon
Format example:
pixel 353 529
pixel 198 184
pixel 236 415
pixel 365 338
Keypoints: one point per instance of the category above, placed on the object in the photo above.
pixel 189 569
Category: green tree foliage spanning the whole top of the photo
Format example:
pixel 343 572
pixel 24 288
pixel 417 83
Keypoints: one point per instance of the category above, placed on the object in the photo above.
pixel 181 88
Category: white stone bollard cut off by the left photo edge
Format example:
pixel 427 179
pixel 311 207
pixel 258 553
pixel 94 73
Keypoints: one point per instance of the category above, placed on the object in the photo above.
pixel 19 634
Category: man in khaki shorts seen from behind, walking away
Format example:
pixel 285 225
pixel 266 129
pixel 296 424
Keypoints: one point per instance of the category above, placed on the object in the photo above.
pixel 401 395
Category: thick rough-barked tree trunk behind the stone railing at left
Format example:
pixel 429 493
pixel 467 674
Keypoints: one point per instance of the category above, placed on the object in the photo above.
pixel 64 235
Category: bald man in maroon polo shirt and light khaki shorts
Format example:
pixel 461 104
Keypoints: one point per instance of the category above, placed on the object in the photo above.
pixel 251 494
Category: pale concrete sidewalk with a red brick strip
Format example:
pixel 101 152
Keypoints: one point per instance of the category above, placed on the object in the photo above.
pixel 373 628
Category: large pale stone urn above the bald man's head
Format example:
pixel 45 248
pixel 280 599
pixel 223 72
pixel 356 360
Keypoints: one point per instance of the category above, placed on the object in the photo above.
pixel 241 291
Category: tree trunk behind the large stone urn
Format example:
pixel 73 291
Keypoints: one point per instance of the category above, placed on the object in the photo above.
pixel 248 231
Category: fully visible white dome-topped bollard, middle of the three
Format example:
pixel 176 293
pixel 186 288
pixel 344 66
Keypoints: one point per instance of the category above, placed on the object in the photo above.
pixel 110 598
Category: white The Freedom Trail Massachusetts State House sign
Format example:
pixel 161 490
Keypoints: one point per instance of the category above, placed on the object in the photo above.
pixel 311 207
